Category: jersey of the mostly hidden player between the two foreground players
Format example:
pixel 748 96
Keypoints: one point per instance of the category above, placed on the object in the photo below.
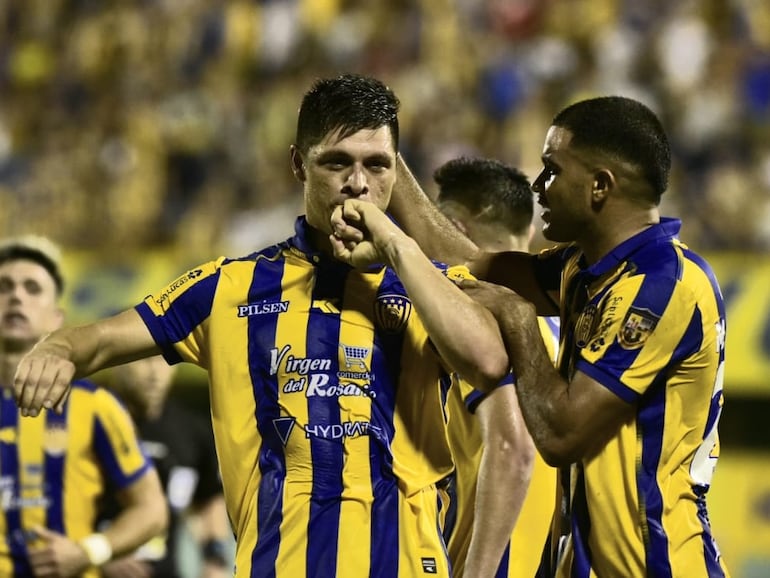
pixel 523 554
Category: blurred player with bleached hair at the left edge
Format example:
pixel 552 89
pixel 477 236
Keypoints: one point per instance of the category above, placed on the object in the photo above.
pixel 54 468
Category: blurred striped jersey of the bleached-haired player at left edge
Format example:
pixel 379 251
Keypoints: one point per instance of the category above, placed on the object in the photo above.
pixel 54 467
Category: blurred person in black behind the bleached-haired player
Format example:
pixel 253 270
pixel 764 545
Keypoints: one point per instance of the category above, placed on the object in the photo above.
pixel 181 445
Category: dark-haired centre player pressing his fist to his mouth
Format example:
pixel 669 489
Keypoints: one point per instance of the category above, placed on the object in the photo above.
pixel 325 361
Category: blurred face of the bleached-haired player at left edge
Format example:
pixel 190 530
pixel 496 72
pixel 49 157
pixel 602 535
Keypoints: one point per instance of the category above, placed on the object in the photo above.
pixel 28 304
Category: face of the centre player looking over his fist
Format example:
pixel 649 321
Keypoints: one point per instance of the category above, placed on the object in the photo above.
pixel 362 166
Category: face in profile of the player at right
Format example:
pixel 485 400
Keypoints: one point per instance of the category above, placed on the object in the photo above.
pixel 563 189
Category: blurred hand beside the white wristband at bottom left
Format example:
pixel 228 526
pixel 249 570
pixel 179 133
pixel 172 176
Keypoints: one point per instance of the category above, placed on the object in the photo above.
pixel 55 556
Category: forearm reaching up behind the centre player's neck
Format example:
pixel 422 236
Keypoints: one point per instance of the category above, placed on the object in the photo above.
pixel 420 218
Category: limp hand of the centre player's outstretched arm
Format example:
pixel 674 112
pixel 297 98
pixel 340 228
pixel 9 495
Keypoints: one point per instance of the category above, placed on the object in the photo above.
pixel 43 380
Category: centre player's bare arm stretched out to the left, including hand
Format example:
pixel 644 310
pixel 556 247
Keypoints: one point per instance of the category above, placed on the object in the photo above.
pixel 44 375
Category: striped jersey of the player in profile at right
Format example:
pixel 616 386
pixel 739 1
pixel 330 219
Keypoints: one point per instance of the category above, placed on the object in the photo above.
pixel 648 322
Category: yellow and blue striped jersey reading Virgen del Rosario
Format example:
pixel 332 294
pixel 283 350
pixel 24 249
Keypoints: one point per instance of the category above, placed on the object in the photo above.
pixel 327 409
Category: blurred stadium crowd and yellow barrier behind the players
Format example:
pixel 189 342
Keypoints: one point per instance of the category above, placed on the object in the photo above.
pixel 148 135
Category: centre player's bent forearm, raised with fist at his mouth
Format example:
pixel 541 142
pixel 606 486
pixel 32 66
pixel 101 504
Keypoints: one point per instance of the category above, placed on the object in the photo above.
pixel 476 351
